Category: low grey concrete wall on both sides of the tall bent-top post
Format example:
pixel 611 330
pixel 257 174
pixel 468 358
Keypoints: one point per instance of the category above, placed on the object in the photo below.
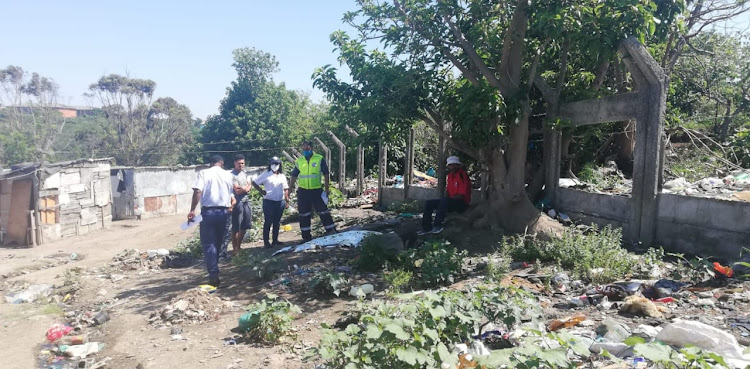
pixel 685 224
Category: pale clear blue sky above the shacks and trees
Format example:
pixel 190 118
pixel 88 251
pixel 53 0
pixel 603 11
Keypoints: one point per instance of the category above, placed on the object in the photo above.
pixel 184 46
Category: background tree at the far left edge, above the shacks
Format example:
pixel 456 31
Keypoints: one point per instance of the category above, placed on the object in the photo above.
pixel 30 121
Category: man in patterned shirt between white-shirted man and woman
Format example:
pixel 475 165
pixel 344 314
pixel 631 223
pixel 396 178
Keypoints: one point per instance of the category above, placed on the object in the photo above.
pixel 242 214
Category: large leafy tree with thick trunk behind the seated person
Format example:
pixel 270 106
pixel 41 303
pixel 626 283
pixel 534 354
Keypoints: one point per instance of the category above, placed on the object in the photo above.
pixel 467 69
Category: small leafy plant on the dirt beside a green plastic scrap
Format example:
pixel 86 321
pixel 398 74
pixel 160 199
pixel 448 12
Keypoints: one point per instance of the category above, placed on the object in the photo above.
pixel 272 319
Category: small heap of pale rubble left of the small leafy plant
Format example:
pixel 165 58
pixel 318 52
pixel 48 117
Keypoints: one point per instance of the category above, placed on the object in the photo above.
pixel 192 306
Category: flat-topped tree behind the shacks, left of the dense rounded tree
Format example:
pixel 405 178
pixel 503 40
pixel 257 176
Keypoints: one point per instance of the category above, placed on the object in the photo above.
pixel 139 130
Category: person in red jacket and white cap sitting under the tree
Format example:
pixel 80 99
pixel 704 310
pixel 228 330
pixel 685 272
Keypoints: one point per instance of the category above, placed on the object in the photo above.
pixel 457 198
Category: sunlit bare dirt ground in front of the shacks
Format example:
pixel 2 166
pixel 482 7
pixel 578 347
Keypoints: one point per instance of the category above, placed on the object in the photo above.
pixel 130 340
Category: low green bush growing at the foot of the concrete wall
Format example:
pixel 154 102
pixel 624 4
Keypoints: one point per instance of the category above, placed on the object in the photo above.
pixel 597 257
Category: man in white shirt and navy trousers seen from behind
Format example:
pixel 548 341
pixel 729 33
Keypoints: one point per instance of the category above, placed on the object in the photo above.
pixel 213 188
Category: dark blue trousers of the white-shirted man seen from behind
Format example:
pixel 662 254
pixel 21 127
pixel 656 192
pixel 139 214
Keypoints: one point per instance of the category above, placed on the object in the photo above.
pixel 212 231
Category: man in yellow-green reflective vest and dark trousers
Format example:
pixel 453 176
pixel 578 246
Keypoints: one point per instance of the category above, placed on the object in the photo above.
pixel 309 171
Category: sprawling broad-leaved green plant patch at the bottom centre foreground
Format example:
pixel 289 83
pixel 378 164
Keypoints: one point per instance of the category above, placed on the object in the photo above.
pixel 419 332
